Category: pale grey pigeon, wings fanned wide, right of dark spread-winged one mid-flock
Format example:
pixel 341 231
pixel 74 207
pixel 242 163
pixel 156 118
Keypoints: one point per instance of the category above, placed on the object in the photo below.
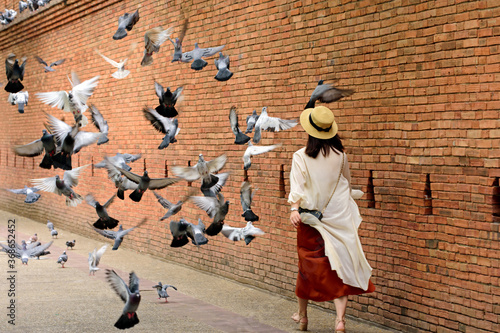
pixel 202 169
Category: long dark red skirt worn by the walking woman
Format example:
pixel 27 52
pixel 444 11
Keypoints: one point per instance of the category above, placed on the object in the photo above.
pixel 316 280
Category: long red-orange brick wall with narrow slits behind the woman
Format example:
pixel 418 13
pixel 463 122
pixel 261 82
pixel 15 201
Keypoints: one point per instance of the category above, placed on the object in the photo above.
pixel 423 121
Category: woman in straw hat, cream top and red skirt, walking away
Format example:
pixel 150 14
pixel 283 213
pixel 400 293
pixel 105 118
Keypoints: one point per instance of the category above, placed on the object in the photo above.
pixel 332 264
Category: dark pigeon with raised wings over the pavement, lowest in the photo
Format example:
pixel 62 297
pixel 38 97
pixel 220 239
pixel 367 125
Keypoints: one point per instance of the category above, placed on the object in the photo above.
pixel 130 296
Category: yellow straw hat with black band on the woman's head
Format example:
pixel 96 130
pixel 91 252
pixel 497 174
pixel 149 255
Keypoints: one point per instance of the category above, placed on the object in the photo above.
pixel 319 122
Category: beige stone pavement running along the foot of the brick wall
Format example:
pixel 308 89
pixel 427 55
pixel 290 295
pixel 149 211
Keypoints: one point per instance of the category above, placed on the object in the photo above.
pixel 49 298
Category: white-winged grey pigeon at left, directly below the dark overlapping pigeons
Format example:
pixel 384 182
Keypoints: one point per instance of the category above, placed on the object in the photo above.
pixel 62 186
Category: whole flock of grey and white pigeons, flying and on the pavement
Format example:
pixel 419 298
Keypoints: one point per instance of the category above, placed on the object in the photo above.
pixel 60 141
